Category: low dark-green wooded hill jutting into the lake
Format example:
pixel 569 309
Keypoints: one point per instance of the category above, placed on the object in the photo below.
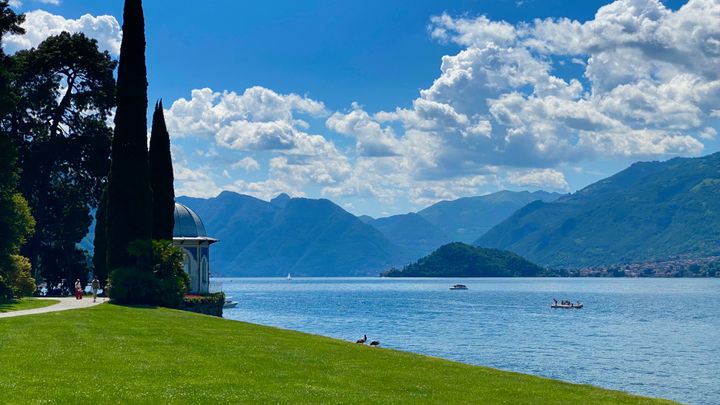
pixel 462 260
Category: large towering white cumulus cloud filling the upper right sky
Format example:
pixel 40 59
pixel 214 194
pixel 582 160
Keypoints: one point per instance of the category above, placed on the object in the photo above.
pixel 648 88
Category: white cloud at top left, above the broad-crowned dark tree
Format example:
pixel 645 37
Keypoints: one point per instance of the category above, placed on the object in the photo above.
pixel 40 24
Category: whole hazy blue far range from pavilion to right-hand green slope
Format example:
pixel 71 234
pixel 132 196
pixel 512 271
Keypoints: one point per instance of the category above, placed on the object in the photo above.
pixel 319 238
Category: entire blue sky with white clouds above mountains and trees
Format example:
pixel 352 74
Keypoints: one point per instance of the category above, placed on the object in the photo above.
pixel 386 107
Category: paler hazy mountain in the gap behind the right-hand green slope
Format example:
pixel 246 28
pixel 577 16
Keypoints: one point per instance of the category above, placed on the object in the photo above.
pixel 466 219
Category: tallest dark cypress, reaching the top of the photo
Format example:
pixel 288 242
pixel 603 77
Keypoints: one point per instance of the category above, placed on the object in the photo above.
pixel 129 215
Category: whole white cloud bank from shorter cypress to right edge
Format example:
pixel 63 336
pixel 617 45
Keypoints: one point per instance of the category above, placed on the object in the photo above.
pixel 501 113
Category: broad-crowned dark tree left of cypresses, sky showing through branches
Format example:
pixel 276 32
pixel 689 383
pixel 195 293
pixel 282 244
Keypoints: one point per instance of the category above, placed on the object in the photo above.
pixel 66 91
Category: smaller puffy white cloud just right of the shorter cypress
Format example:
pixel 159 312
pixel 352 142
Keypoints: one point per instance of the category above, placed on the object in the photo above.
pixel 262 121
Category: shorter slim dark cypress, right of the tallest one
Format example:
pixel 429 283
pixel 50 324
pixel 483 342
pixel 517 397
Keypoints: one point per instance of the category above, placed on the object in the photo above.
pixel 161 177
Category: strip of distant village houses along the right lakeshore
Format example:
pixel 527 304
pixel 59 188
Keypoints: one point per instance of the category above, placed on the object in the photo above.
pixel 674 267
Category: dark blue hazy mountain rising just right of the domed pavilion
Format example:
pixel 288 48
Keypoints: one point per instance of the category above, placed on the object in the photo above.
pixel 300 236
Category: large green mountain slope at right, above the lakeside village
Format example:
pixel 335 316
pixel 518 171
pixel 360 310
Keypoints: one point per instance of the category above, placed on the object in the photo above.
pixel 651 211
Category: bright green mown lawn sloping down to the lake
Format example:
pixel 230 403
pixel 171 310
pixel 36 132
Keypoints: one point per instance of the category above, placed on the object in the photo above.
pixel 114 354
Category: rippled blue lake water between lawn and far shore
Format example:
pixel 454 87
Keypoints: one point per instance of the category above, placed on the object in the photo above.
pixel 656 337
